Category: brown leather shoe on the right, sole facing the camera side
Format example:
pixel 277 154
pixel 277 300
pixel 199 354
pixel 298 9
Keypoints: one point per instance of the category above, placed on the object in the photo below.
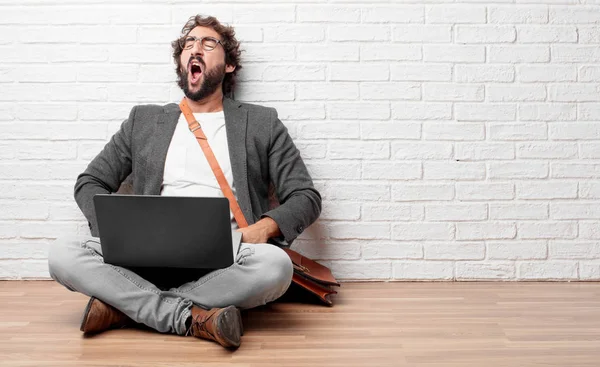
pixel 223 325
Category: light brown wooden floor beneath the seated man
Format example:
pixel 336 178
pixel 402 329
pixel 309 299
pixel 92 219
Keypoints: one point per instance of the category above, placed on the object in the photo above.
pixel 372 324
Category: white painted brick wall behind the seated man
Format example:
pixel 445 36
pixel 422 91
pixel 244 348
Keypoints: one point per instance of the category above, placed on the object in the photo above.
pixel 449 141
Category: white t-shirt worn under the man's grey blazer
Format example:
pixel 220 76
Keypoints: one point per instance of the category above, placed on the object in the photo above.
pixel 187 172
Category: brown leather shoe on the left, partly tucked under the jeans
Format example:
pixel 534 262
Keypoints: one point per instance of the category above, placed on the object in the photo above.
pixel 99 316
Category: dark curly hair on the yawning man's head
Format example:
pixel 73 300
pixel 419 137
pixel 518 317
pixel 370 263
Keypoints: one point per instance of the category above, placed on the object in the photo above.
pixel 228 40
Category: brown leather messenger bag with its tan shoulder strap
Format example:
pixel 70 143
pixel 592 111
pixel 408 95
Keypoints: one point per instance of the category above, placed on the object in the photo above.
pixel 308 274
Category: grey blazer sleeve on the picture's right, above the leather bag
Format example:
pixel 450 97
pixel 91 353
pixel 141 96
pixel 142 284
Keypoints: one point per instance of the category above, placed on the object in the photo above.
pixel 300 201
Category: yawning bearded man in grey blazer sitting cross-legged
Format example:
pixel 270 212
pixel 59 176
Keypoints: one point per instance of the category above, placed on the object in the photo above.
pixel 156 147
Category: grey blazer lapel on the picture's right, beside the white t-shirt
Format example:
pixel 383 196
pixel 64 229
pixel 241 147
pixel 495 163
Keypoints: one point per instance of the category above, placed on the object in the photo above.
pixel 236 122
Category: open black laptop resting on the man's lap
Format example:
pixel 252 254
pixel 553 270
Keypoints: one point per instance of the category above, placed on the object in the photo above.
pixel 151 231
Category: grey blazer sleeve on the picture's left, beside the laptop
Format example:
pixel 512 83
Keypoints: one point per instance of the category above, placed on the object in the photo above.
pixel 106 171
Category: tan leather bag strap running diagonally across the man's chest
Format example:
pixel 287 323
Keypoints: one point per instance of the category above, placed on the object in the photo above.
pixel 212 161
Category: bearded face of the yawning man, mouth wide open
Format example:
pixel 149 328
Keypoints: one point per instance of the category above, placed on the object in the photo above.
pixel 202 72
